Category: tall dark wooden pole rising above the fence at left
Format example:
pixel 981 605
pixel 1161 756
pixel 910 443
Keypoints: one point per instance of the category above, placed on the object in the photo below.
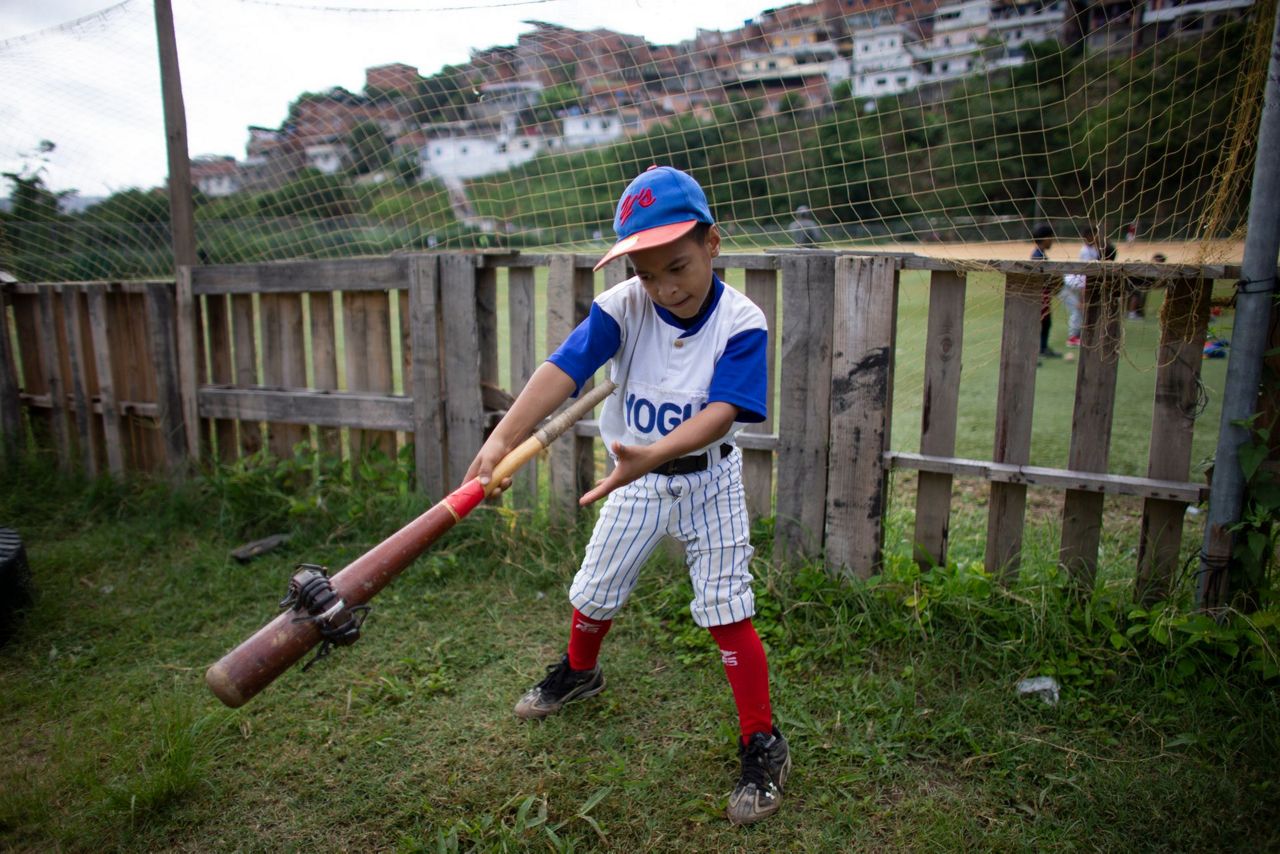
pixel 182 211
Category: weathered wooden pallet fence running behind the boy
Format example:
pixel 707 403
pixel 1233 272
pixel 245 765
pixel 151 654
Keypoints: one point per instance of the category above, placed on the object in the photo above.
pixel 156 376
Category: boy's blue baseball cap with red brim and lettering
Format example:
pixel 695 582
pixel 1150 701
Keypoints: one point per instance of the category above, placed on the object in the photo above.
pixel 660 207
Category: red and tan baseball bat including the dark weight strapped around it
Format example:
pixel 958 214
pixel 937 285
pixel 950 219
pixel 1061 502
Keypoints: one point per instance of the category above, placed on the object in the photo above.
pixel 332 610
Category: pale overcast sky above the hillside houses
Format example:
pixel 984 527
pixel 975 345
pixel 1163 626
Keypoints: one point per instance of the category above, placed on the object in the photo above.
pixel 94 88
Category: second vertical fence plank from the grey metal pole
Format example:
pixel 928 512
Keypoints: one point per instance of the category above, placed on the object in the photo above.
pixel 1091 426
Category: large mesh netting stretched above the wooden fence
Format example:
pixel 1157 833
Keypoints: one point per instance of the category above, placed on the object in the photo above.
pixel 953 129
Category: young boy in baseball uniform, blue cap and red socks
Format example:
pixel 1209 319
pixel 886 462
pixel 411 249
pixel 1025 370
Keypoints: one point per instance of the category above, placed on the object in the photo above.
pixel 689 357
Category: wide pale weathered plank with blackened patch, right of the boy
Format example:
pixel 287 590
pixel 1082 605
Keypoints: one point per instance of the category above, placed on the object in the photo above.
pixel 862 399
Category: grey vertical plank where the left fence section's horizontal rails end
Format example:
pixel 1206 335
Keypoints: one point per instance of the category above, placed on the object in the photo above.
pixel 429 441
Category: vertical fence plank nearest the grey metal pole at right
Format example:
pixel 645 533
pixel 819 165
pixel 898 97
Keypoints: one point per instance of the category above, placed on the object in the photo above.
pixel 1185 319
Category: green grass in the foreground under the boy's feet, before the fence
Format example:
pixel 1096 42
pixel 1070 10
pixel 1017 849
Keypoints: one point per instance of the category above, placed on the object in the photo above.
pixel 898 697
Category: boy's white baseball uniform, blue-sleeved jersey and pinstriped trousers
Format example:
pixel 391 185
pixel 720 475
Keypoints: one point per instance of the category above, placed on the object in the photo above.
pixel 669 369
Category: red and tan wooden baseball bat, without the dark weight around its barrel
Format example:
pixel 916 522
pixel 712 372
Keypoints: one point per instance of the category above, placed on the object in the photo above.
pixel 245 672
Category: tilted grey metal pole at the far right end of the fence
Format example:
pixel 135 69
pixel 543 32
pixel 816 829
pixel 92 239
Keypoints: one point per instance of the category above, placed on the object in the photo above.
pixel 1249 344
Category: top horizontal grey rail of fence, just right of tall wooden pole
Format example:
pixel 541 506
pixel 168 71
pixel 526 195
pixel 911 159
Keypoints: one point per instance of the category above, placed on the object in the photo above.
pixel 301 277
